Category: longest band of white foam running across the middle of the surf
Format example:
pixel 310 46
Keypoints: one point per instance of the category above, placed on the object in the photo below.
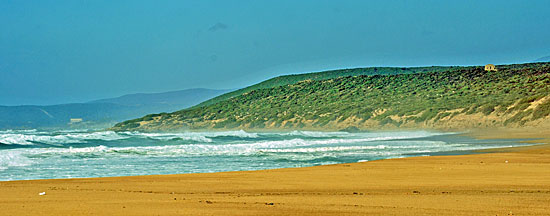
pixel 285 146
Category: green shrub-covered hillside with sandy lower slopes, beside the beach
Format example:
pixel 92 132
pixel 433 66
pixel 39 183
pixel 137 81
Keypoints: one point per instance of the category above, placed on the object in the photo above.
pixel 455 98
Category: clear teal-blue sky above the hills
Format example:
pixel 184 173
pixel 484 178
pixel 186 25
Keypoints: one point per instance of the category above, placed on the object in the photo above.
pixel 55 52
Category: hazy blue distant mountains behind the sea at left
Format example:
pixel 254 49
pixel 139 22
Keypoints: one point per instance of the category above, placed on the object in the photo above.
pixel 101 113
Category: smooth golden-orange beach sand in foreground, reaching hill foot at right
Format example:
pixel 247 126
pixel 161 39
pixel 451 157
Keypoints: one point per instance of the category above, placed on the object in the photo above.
pixel 509 182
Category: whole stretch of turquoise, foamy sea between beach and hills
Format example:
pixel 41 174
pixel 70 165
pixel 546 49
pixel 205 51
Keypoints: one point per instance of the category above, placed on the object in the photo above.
pixel 33 154
